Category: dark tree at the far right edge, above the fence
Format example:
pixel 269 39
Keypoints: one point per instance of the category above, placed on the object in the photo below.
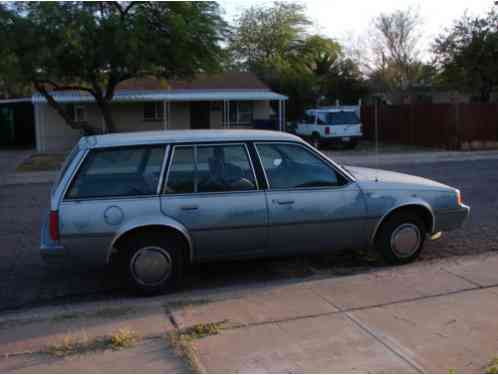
pixel 467 55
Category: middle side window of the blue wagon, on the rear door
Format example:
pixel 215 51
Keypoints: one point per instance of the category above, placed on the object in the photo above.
pixel 217 169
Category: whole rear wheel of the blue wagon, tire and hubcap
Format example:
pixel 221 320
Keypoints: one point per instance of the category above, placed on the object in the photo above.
pixel 154 262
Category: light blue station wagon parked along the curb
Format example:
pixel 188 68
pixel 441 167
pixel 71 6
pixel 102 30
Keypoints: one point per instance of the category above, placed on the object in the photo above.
pixel 152 202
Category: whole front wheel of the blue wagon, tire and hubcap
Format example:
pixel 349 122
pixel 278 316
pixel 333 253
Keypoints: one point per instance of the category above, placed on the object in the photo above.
pixel 401 238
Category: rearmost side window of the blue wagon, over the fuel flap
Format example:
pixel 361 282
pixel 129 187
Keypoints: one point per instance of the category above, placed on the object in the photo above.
pixel 114 172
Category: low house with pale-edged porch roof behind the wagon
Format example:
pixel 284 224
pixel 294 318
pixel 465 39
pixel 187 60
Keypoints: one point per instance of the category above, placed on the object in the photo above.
pixel 227 100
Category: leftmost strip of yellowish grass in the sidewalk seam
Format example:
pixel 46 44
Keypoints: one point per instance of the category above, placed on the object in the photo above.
pixel 72 345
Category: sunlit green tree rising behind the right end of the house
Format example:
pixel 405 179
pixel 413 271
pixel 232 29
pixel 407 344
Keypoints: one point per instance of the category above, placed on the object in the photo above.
pixel 274 43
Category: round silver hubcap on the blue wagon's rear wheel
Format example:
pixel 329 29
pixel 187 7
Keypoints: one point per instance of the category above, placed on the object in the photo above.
pixel 151 265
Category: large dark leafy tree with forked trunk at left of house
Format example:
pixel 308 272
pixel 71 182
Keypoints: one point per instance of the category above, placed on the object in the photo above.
pixel 92 47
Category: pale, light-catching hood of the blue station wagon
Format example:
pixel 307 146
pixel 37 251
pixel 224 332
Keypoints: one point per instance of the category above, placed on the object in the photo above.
pixel 393 179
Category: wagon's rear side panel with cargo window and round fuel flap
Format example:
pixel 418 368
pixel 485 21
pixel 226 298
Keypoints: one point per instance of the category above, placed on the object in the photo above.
pixel 112 185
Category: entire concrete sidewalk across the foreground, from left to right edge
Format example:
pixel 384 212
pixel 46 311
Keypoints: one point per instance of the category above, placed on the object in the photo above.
pixel 425 317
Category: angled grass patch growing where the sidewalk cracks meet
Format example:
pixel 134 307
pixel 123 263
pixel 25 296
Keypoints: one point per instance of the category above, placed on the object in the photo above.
pixel 181 341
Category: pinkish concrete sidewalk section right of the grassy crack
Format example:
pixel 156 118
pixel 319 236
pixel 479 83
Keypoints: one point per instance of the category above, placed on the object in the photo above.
pixel 421 318
